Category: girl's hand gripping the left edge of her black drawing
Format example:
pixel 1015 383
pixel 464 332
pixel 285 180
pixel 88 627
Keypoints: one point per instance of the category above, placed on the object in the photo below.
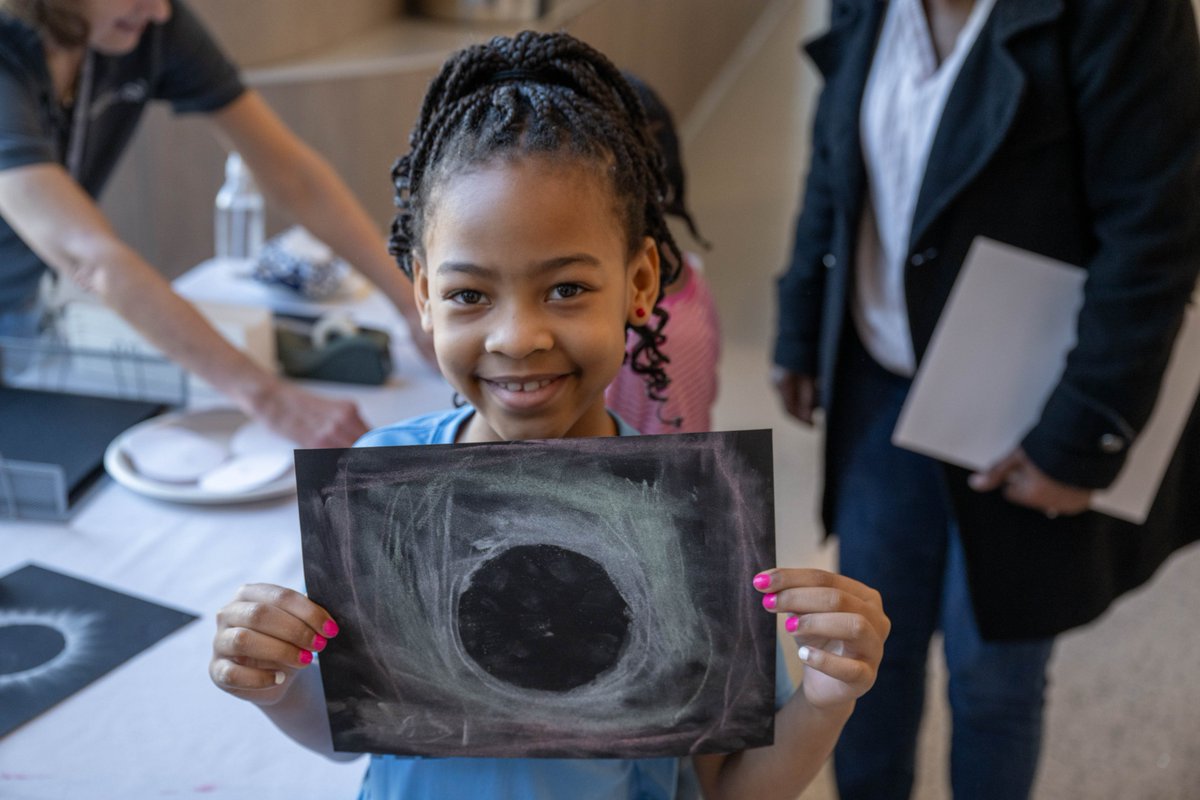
pixel 265 636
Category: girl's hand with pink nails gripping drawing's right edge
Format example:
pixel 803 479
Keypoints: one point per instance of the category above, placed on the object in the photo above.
pixel 839 628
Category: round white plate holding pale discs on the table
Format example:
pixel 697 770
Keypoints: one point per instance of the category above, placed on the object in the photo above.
pixel 218 425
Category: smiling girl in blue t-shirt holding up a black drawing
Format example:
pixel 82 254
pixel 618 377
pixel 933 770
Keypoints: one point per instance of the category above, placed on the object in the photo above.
pixel 530 222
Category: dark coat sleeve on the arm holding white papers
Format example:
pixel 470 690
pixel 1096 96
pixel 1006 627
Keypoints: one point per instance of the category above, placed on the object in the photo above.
pixel 1136 86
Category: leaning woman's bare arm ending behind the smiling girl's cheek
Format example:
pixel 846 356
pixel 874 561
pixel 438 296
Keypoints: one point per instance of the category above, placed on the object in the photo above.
pixel 298 179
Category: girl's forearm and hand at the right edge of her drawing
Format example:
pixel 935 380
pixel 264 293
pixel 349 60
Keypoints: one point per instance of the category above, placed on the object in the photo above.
pixel 841 628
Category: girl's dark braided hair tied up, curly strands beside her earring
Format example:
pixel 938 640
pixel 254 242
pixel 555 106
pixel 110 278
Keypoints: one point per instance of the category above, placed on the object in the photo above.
pixel 553 97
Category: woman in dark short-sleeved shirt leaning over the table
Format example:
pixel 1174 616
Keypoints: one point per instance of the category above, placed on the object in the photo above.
pixel 75 79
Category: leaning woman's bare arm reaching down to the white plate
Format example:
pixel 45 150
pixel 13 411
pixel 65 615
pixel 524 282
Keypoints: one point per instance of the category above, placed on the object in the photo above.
pixel 68 231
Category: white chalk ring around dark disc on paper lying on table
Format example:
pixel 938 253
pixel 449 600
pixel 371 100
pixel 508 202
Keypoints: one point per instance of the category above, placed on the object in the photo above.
pixel 41 647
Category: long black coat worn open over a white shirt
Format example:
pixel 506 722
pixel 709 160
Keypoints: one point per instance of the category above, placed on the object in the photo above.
pixel 1073 131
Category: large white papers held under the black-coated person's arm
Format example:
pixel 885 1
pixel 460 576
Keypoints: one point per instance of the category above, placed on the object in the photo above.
pixel 999 352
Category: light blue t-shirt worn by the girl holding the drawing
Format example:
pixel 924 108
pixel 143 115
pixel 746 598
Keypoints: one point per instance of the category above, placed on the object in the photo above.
pixel 394 778
